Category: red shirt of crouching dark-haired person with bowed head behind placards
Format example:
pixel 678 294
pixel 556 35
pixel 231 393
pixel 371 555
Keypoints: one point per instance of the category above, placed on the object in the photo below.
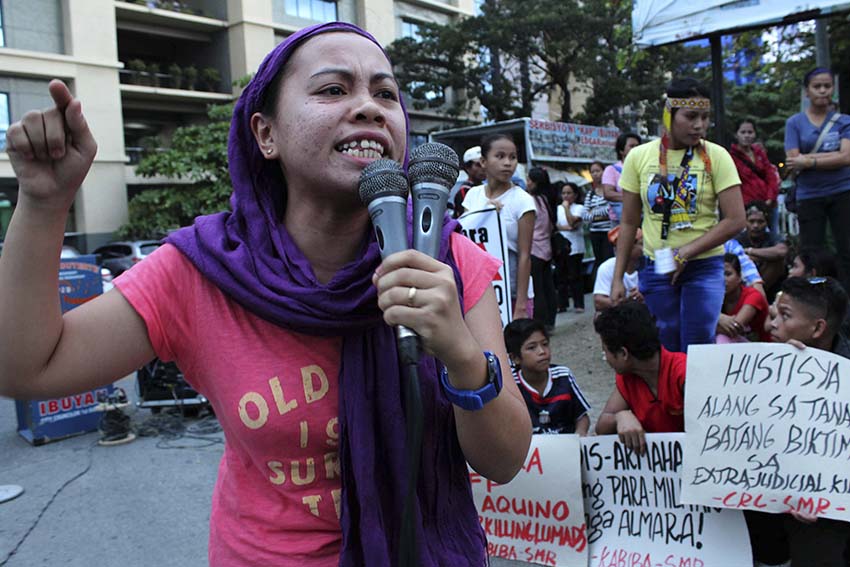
pixel 666 412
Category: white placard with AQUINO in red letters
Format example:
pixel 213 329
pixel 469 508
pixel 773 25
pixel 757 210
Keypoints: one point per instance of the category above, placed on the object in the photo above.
pixel 538 516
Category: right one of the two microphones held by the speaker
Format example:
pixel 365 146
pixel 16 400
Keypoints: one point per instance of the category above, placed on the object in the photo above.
pixel 433 169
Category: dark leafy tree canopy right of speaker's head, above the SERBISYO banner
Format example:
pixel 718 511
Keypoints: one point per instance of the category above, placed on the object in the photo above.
pixel 519 50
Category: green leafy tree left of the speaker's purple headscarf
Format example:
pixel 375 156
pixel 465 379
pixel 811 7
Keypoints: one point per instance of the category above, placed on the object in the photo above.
pixel 198 153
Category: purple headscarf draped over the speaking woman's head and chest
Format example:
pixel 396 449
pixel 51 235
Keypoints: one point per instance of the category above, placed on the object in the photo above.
pixel 249 255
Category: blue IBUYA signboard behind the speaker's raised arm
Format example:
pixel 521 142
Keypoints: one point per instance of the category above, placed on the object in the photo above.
pixel 42 421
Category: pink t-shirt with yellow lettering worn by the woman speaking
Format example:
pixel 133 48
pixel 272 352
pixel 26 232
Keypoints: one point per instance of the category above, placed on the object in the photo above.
pixel 275 392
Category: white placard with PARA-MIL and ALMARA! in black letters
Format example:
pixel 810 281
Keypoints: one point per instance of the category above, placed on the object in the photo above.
pixel 634 517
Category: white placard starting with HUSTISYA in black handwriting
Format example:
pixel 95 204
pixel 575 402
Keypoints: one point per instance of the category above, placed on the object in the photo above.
pixel 768 428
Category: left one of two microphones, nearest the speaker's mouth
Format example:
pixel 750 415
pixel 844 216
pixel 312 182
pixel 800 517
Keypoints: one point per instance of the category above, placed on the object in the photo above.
pixel 383 189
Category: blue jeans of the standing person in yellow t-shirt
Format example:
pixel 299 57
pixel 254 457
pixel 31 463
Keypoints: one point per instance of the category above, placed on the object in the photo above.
pixel 686 313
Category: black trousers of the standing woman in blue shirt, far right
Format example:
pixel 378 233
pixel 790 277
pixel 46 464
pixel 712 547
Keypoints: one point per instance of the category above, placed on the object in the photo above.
pixel 813 214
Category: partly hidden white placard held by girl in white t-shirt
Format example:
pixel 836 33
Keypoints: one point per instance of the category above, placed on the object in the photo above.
pixel 485 229
